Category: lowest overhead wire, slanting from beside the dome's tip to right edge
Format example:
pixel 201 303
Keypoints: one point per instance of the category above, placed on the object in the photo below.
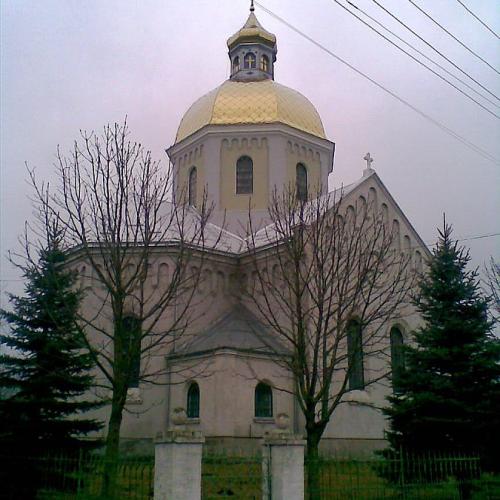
pixel 443 127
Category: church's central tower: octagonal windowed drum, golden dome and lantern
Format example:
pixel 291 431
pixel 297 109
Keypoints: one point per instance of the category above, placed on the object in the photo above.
pixel 248 137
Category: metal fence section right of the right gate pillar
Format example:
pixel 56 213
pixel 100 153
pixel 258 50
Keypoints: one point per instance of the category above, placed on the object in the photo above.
pixel 405 477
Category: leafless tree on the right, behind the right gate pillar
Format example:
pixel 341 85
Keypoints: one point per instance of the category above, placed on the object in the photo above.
pixel 328 278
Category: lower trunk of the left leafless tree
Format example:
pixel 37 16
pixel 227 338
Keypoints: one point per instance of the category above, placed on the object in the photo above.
pixel 113 443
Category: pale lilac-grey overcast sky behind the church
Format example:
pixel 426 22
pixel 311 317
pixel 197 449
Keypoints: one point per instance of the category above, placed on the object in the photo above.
pixel 68 65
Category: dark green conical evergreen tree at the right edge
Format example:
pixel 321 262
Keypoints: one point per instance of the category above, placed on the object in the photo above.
pixel 449 397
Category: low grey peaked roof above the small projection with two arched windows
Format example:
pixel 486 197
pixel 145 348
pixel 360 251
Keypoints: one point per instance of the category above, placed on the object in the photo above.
pixel 238 330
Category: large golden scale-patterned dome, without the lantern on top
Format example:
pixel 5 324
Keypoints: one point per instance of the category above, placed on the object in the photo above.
pixel 265 101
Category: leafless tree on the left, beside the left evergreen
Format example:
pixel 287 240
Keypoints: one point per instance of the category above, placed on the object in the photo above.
pixel 113 201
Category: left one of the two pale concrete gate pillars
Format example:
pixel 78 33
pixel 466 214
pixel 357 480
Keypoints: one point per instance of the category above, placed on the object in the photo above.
pixel 178 465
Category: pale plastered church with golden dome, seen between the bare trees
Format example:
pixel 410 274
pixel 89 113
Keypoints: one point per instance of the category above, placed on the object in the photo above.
pixel 235 146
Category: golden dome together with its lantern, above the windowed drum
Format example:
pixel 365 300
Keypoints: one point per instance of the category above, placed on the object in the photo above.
pixel 251 96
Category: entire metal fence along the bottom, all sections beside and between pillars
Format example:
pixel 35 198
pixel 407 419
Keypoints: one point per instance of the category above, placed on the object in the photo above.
pixel 239 476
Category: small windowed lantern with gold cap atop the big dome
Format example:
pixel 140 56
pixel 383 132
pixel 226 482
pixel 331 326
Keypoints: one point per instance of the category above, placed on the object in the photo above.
pixel 252 51
